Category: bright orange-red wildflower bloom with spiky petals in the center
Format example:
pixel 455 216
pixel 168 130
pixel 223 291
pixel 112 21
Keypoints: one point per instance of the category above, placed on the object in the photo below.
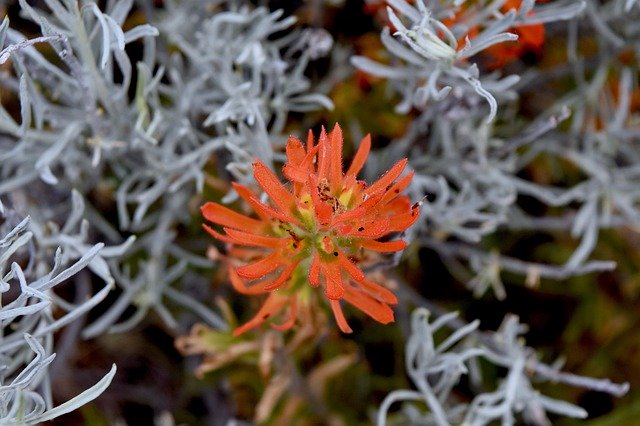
pixel 314 232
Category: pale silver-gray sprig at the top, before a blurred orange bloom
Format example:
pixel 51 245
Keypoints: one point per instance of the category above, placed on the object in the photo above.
pixel 430 61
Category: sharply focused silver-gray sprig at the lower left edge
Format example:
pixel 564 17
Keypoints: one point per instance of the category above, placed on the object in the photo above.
pixel 28 322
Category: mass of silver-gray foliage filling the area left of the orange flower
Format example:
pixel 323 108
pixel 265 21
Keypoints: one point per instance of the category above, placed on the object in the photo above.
pixel 98 124
